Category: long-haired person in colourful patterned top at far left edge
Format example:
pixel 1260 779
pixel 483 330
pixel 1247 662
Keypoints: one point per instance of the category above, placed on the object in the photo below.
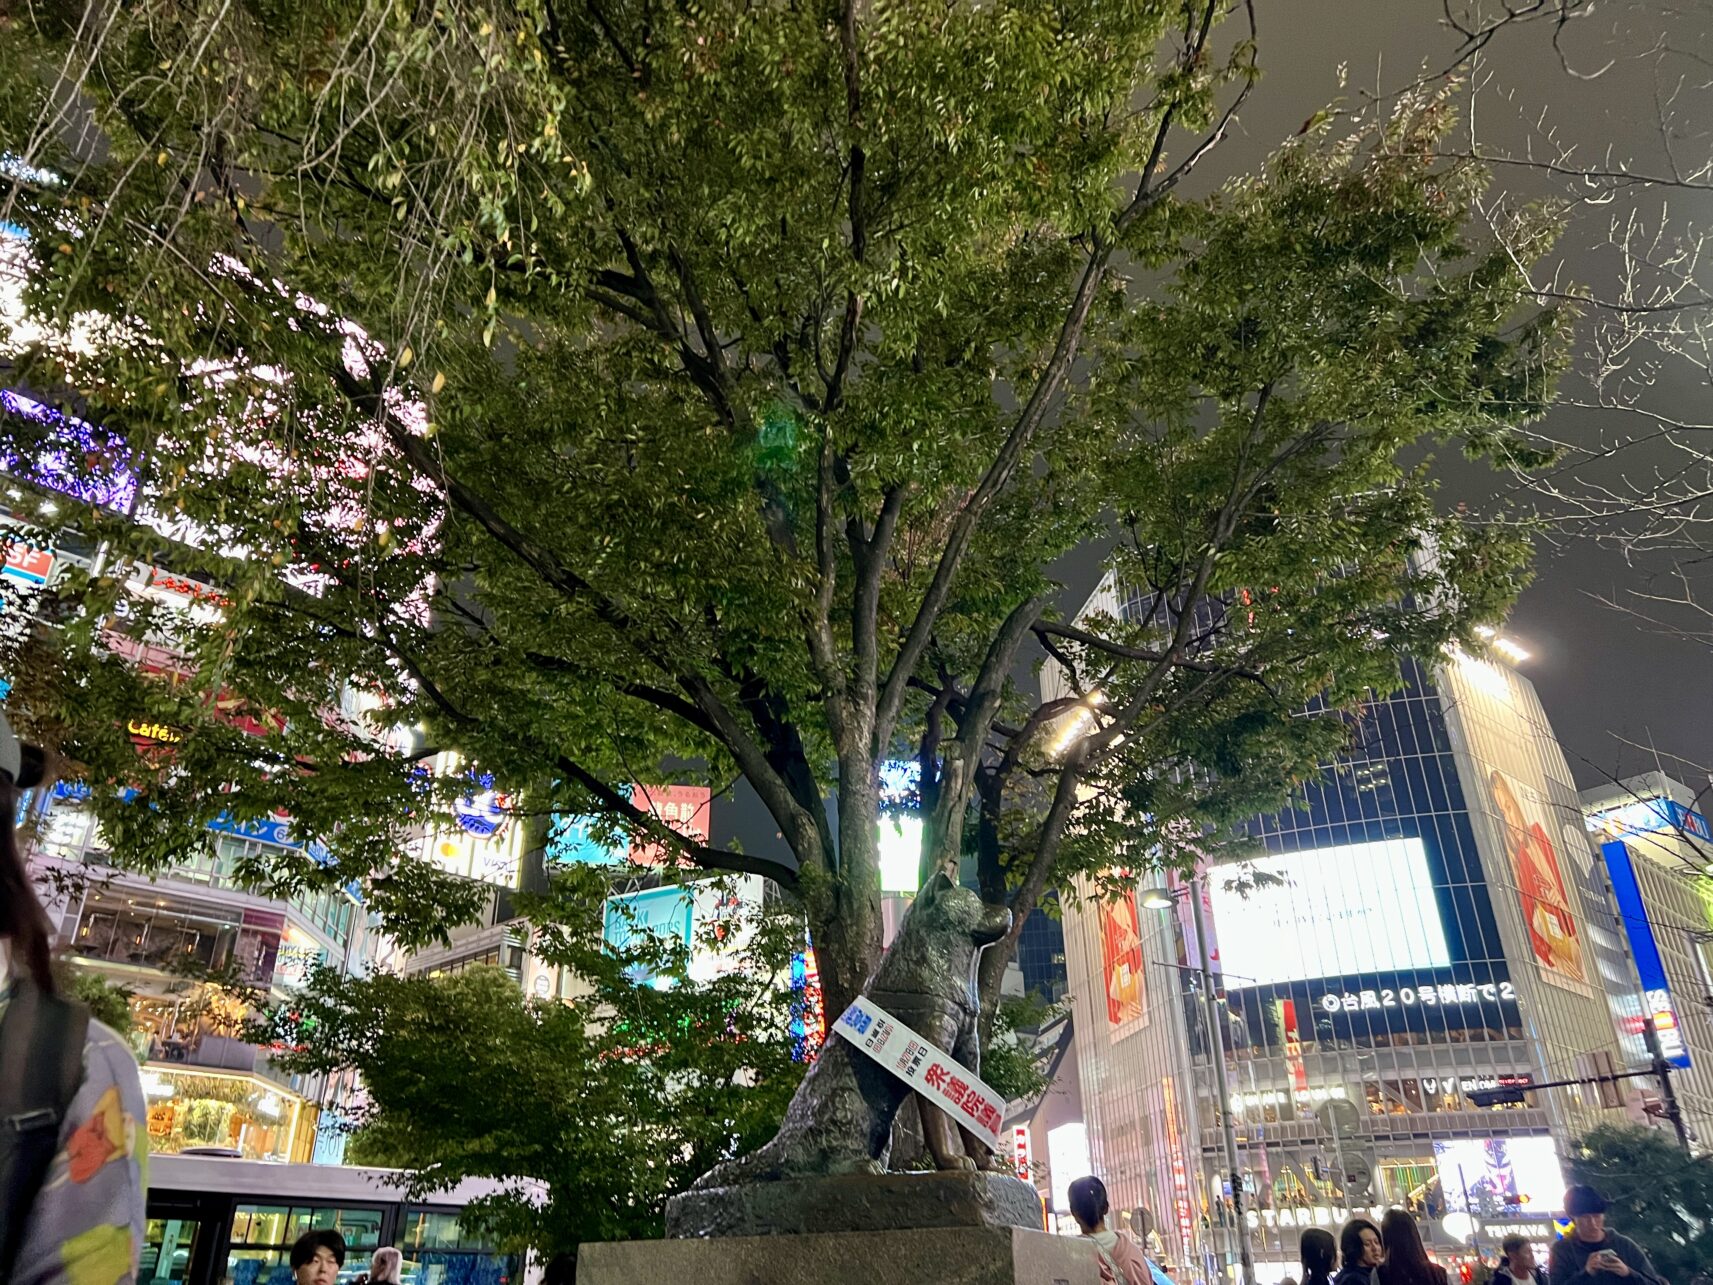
pixel 71 1169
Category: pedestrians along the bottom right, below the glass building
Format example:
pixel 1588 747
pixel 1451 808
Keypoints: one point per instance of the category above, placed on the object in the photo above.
pixel 1394 1253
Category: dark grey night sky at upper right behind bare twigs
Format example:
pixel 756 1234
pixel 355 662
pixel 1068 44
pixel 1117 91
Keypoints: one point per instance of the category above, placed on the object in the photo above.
pixel 1601 676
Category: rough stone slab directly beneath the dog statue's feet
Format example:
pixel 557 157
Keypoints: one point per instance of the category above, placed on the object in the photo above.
pixel 856 1204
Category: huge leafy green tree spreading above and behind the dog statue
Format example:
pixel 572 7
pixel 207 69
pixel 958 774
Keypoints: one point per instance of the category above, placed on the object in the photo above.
pixel 599 385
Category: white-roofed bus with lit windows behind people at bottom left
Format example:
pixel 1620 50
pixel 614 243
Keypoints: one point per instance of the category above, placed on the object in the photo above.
pixel 222 1221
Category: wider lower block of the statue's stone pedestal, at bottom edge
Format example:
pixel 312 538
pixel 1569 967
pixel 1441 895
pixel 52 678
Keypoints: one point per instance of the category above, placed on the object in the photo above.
pixel 914 1257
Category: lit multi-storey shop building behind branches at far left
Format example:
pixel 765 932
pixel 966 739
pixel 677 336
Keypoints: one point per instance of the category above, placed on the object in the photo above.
pixel 191 936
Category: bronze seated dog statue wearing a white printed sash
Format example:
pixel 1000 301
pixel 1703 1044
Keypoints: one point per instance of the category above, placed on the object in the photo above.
pixel 840 1121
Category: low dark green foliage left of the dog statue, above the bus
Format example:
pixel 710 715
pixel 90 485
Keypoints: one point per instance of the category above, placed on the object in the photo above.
pixel 614 1099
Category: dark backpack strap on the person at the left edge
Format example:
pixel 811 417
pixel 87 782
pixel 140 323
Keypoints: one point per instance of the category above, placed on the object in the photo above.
pixel 42 1068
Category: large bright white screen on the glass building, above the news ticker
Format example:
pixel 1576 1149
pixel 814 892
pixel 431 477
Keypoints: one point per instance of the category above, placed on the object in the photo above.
pixel 1328 912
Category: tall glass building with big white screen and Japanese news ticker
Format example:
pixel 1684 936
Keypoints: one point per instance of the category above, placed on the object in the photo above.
pixel 1428 921
